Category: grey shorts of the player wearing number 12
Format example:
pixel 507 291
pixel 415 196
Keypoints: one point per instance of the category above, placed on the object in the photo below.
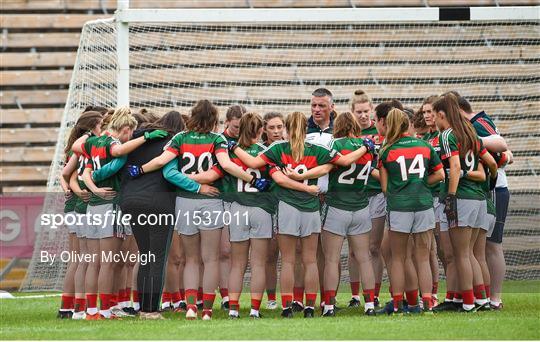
pixel 252 223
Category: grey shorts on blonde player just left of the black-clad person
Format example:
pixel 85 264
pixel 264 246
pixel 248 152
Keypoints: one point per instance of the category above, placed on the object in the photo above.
pixel 110 225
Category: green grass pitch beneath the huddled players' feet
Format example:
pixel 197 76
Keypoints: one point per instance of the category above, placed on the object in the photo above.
pixel 35 319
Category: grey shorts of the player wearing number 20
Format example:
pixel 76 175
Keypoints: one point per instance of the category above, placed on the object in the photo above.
pixel 194 215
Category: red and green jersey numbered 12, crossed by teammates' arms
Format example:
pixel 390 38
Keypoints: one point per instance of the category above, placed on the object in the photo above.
pixel 237 190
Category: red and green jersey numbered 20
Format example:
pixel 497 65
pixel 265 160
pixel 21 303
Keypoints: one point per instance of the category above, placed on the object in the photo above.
pixel 196 153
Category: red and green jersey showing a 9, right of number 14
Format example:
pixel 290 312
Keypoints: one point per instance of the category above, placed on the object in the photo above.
pixel 467 189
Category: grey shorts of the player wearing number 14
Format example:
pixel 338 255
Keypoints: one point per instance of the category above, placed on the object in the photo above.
pixel 411 222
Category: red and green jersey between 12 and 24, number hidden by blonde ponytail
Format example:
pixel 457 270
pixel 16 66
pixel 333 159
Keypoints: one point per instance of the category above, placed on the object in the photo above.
pixel 280 154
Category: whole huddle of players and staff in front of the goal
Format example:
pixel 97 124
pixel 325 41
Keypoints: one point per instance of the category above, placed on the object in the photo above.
pixel 405 188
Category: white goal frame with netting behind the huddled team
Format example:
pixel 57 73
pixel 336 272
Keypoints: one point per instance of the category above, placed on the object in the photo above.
pixel 272 59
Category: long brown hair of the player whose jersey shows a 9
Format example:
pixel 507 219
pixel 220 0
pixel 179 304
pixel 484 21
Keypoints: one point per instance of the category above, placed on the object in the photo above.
pixel 463 130
